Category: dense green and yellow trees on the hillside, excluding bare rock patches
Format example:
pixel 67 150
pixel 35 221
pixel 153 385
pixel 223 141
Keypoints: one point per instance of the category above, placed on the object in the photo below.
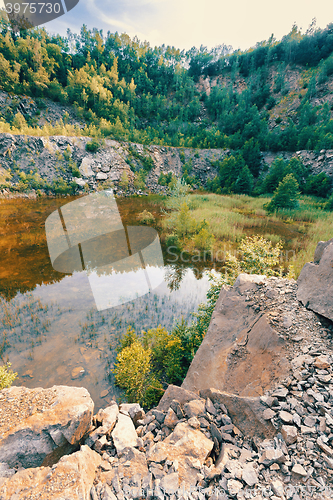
pixel 131 91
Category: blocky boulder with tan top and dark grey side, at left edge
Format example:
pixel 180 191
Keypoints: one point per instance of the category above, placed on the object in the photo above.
pixel 38 426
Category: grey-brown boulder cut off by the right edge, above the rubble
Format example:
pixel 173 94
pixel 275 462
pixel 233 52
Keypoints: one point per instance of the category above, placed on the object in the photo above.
pixel 315 282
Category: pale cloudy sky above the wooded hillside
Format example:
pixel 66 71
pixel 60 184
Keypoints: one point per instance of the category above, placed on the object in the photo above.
pixel 188 23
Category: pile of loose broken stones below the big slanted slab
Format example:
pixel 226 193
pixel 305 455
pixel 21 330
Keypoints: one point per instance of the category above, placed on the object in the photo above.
pixel 189 447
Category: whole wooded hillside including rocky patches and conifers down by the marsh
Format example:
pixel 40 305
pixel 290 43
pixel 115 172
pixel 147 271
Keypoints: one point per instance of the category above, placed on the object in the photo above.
pixel 276 96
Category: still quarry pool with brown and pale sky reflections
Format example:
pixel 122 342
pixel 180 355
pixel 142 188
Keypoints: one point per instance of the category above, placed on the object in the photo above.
pixel 54 328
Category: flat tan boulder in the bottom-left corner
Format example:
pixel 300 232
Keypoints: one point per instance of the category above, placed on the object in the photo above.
pixel 71 479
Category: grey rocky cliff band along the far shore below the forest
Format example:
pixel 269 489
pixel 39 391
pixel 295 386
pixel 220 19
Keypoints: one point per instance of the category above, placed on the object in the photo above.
pixel 60 157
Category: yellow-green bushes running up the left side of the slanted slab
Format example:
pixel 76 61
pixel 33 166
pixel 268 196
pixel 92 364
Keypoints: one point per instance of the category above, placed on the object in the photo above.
pixel 157 357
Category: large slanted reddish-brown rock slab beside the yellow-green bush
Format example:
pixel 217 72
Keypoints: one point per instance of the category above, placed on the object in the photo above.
pixel 241 353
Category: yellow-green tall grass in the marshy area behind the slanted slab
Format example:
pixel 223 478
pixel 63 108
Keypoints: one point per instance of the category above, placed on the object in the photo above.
pixel 233 217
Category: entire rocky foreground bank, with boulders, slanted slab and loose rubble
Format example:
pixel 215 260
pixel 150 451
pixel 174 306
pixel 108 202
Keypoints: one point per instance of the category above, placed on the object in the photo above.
pixel 254 418
